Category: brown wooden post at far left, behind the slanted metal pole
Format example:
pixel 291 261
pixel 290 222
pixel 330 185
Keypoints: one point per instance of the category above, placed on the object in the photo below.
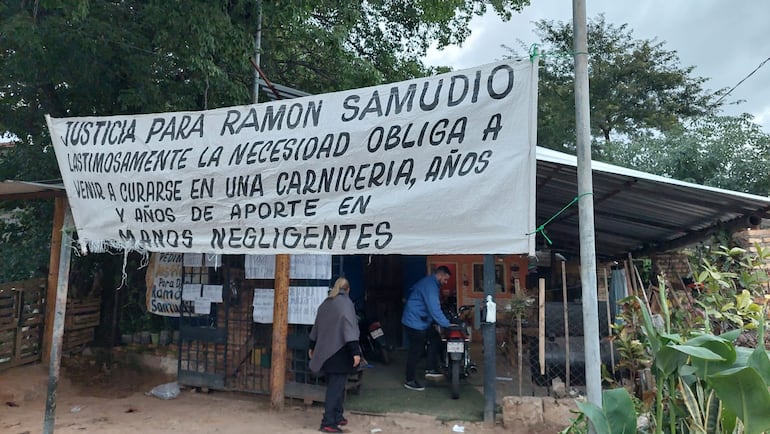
pixel 60 205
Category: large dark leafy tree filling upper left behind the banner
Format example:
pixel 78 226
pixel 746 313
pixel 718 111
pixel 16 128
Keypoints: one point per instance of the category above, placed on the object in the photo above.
pixel 80 57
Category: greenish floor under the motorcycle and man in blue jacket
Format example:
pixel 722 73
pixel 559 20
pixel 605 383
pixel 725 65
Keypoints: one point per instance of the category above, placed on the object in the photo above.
pixel 382 391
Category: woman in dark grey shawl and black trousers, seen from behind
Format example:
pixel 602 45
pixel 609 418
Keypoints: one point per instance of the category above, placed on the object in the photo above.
pixel 334 351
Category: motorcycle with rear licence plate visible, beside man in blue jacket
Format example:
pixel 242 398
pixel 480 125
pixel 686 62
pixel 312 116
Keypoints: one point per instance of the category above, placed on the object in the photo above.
pixel 456 362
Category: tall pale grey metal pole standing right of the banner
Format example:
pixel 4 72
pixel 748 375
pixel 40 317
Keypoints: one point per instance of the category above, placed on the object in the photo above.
pixel 586 206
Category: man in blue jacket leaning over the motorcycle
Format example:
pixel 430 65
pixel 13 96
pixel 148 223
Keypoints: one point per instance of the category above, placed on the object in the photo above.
pixel 422 309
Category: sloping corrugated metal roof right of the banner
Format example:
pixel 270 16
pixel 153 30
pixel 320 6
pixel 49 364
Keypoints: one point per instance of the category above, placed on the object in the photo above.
pixel 635 211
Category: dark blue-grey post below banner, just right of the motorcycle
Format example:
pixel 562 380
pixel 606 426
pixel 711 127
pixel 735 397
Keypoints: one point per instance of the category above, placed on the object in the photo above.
pixel 490 344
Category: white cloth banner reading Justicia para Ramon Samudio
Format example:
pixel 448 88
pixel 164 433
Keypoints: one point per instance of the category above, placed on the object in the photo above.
pixel 443 164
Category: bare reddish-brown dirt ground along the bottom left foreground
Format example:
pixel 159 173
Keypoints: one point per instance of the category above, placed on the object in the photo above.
pixel 114 400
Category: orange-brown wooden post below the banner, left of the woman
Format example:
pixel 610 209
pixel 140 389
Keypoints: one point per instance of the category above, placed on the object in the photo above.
pixel 280 332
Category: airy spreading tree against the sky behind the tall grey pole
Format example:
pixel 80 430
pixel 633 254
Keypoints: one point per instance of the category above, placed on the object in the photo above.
pixel 635 85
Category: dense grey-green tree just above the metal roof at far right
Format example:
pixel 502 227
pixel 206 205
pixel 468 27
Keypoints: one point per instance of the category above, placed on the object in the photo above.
pixel 729 152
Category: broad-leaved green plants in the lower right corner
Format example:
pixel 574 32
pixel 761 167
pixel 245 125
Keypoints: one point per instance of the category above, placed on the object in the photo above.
pixel 703 382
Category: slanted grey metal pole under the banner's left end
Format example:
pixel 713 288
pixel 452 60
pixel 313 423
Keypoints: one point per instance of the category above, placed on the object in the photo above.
pixel 58 322
